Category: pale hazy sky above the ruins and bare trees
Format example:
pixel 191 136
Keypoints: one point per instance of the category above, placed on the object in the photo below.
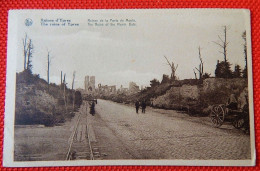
pixel 116 55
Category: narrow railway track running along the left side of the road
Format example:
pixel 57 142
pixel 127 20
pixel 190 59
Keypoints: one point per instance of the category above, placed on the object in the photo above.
pixel 80 147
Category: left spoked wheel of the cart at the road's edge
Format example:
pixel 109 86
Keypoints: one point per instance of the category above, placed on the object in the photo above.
pixel 217 115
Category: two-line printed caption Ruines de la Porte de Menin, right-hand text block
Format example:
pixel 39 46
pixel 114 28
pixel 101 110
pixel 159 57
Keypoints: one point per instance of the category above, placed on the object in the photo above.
pixel 111 22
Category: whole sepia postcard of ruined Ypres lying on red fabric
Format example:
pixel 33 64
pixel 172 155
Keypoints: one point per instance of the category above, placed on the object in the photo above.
pixel 129 87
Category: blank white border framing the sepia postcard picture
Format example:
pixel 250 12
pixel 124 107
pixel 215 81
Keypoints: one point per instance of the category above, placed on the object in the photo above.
pixel 8 160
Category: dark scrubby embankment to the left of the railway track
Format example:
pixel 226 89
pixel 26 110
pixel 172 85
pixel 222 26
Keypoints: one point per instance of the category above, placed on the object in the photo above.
pixel 38 103
